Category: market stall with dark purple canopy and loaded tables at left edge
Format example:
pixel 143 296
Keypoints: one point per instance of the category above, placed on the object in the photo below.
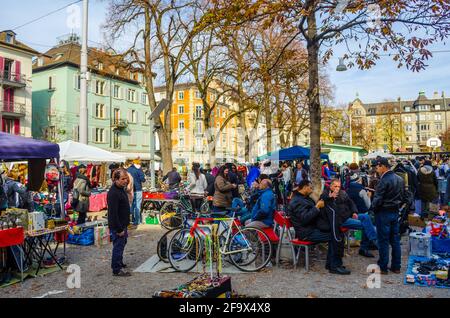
pixel 31 232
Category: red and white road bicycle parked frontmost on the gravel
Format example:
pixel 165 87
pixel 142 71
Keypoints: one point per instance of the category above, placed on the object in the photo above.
pixel 249 249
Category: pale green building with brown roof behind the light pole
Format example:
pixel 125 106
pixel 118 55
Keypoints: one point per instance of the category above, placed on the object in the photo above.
pixel 118 107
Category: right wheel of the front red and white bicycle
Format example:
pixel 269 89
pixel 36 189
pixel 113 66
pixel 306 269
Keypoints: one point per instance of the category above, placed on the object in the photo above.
pixel 251 249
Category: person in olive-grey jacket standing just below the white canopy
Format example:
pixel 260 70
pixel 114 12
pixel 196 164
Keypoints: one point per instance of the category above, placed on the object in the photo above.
pixel 82 192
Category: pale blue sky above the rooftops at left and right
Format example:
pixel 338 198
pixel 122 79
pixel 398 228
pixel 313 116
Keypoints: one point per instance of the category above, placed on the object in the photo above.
pixel 384 81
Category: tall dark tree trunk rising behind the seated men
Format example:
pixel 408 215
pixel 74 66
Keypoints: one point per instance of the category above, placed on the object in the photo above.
pixel 314 105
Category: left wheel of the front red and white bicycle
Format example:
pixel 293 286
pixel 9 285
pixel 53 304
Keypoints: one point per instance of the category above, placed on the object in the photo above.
pixel 184 250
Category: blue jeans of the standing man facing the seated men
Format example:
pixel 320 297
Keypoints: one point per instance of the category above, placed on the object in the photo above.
pixel 388 230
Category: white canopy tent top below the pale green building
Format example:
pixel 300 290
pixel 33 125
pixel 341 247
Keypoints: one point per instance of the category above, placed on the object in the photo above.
pixel 75 151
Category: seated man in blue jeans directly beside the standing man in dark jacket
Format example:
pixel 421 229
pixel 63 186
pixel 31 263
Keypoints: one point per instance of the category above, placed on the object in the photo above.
pixel 361 220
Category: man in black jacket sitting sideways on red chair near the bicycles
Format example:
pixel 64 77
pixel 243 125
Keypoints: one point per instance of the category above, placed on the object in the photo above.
pixel 305 215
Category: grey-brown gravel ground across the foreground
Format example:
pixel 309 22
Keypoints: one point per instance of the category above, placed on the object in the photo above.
pixel 97 280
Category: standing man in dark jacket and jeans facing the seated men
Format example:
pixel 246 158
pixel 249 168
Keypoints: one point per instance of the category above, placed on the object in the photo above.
pixel 386 204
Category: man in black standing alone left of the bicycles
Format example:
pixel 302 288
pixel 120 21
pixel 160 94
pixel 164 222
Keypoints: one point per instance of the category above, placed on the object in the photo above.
pixel 118 220
